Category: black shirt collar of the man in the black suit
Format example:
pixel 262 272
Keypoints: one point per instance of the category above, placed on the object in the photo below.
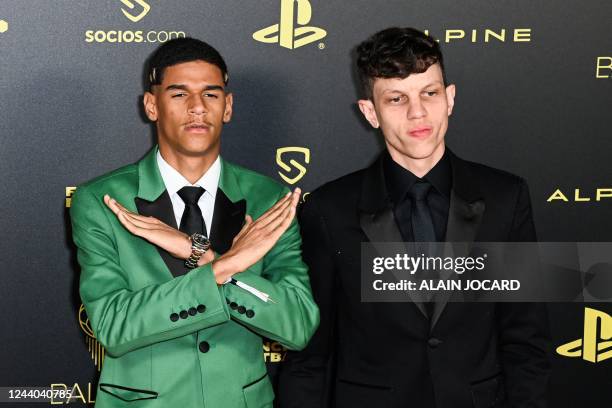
pixel 400 180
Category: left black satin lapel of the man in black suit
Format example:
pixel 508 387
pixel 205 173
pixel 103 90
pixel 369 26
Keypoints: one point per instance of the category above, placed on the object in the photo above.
pixel 376 212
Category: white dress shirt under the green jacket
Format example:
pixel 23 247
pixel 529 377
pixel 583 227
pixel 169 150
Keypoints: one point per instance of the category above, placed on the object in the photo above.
pixel 174 181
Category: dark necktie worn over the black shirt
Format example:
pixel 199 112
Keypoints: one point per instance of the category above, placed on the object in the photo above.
pixel 422 227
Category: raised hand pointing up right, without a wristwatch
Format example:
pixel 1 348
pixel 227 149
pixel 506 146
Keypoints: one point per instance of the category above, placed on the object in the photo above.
pixel 256 238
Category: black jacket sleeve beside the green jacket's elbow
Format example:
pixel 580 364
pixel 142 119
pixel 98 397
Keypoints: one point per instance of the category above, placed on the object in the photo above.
pixel 304 379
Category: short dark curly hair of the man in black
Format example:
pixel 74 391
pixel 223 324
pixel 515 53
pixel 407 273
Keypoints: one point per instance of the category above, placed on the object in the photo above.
pixel 396 53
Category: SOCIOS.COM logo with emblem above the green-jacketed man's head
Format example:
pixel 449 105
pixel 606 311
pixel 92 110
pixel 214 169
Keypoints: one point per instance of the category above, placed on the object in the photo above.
pixel 135 11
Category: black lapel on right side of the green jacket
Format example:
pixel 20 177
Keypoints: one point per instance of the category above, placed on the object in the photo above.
pixel 228 219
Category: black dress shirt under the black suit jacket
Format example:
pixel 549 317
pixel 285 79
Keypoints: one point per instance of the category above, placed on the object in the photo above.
pixel 399 181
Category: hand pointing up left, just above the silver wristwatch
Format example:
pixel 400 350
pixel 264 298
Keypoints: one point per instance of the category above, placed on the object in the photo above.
pixel 175 242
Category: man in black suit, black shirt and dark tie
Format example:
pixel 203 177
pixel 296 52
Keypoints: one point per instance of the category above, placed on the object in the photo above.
pixel 437 354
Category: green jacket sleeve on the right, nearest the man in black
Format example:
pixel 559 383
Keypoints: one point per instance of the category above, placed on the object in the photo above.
pixel 292 316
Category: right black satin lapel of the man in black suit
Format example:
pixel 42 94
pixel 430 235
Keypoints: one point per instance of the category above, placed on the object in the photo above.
pixel 464 217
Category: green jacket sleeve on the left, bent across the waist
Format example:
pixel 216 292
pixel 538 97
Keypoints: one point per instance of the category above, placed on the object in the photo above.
pixel 124 319
